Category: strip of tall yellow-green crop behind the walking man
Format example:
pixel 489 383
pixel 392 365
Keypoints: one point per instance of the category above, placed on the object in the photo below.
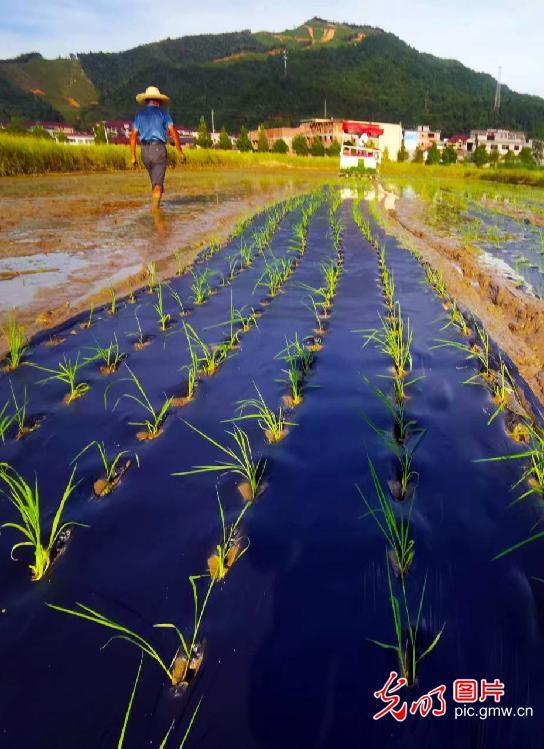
pixel 24 155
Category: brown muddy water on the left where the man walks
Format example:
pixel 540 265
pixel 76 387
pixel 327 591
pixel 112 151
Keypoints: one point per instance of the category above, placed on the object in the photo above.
pixel 65 240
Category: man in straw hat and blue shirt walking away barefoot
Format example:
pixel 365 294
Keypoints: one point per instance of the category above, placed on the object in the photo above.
pixel 152 124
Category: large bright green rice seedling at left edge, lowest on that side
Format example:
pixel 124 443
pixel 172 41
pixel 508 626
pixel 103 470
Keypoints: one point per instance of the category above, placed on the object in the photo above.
pixel 25 499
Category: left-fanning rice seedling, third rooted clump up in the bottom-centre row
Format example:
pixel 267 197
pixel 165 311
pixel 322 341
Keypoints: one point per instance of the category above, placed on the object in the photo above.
pixel 239 461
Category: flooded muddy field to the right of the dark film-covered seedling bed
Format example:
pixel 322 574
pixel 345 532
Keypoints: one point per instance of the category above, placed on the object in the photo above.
pixel 487 241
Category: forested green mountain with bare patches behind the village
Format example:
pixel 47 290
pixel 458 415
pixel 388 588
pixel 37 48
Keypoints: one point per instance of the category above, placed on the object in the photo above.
pixel 362 72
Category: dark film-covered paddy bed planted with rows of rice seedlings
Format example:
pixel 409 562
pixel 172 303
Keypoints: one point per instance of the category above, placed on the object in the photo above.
pixel 240 502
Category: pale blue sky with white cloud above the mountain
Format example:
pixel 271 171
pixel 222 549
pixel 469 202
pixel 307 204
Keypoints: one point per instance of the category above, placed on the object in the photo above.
pixel 482 34
